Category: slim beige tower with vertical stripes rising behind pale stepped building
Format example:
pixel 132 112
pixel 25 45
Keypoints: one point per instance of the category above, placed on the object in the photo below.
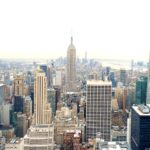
pixel 42 110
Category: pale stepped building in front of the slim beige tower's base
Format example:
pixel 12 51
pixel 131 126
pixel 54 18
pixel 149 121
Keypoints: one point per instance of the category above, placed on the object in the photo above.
pixel 39 138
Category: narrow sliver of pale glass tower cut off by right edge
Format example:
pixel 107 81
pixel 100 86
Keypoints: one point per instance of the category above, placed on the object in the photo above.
pixel 148 84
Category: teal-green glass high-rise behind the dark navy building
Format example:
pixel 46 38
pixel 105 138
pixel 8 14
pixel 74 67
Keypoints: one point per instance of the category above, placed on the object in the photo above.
pixel 141 90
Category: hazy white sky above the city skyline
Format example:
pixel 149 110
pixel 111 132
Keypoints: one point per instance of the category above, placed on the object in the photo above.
pixel 104 28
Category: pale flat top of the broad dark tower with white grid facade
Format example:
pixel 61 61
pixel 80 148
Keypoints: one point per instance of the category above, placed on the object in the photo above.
pixel 98 82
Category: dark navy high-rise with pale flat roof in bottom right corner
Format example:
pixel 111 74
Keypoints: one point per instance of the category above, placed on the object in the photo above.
pixel 140 128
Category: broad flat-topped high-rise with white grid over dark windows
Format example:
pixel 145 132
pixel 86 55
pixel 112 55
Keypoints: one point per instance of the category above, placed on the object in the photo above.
pixel 98 109
